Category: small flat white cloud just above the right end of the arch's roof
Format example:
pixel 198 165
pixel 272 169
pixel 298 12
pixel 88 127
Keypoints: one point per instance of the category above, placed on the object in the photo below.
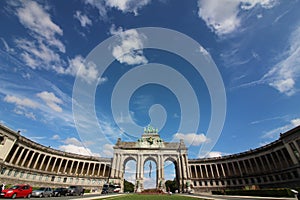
pixel 191 138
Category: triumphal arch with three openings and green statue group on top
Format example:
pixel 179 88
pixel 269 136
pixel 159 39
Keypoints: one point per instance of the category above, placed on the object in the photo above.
pixel 150 147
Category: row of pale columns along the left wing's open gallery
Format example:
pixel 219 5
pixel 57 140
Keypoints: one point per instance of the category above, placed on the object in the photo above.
pixel 25 157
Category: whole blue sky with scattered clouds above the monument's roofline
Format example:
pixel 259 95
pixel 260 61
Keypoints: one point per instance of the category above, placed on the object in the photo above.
pixel 57 93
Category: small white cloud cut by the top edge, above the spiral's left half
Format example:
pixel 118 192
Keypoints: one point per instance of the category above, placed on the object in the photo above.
pixel 128 5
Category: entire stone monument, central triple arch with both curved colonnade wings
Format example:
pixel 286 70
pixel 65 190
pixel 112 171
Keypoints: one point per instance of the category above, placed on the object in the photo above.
pixel 274 165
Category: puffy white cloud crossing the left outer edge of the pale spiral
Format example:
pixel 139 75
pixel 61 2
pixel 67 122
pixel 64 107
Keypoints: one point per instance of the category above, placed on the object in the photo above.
pixel 86 71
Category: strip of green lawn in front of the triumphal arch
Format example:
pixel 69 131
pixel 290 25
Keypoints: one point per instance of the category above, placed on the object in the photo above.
pixel 150 197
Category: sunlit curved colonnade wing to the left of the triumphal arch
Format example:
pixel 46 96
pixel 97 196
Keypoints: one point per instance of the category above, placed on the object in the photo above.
pixel 24 161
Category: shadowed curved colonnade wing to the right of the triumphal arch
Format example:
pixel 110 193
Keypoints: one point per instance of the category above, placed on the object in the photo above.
pixel 274 165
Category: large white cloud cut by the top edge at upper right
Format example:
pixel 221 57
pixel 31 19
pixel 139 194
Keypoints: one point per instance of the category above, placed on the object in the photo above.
pixel 223 16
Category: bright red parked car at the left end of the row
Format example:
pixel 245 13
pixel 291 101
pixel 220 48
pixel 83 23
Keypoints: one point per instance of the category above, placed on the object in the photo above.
pixel 15 191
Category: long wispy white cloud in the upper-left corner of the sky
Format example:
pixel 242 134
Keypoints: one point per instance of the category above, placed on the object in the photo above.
pixel 40 52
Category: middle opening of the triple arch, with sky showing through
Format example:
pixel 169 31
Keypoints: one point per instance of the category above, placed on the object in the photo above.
pixel 150 174
